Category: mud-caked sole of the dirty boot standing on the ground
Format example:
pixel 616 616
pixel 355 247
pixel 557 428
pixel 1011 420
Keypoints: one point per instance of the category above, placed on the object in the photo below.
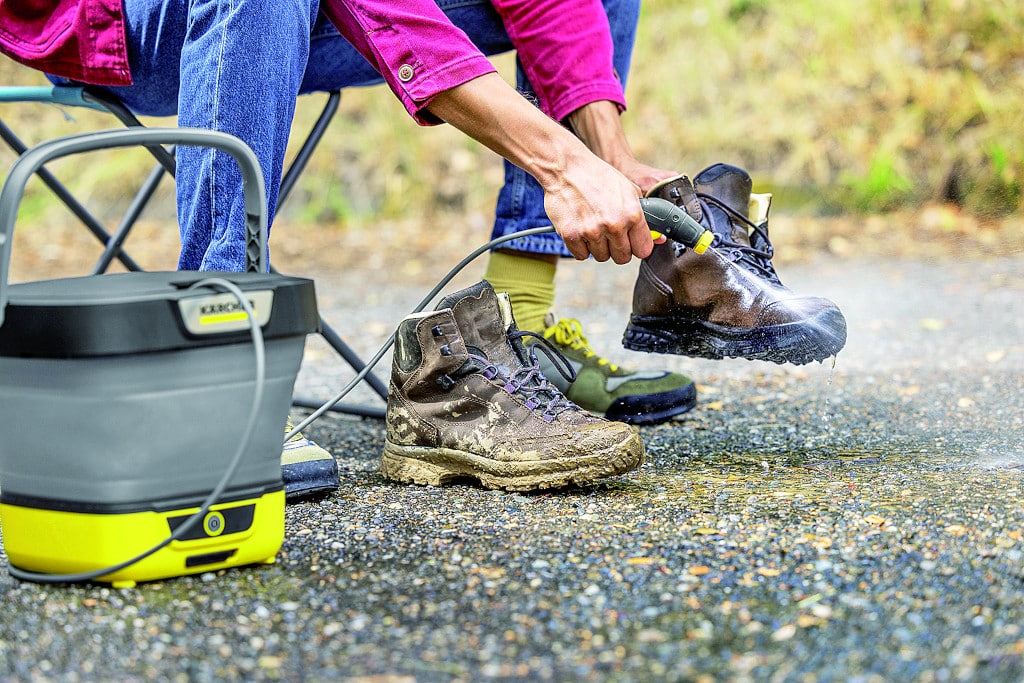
pixel 436 466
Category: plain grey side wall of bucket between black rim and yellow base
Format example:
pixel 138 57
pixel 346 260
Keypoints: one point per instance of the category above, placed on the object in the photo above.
pixel 150 432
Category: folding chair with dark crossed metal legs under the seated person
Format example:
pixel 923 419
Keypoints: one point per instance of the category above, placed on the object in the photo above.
pixel 114 242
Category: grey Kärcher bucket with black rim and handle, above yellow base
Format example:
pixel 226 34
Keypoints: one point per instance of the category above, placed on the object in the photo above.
pixel 110 402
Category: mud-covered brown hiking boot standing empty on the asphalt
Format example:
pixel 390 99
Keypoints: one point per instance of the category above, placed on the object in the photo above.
pixel 468 400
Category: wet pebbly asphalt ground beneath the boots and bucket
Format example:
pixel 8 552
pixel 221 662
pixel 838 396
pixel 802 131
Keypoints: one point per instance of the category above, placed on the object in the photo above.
pixel 863 522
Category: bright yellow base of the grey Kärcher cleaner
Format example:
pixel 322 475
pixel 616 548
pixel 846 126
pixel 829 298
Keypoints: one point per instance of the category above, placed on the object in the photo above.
pixel 60 542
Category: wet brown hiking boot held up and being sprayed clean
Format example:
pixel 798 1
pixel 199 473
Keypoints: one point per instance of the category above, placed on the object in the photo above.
pixel 730 302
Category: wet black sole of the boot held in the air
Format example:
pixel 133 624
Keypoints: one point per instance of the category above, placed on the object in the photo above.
pixel 799 344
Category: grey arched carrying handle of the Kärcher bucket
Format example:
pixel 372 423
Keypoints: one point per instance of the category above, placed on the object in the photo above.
pixel 30 162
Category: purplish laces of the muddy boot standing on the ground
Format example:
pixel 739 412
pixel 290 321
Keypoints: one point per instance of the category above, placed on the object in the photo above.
pixel 530 381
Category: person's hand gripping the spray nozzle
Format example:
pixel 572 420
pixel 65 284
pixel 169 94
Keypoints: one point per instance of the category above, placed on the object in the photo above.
pixel 596 210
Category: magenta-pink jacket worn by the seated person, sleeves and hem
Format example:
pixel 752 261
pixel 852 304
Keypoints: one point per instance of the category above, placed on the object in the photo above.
pixel 564 45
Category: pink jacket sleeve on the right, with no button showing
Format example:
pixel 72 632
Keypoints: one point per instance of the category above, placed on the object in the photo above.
pixel 566 50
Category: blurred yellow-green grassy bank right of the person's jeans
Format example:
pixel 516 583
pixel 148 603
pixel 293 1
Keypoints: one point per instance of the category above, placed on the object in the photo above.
pixel 878 106
